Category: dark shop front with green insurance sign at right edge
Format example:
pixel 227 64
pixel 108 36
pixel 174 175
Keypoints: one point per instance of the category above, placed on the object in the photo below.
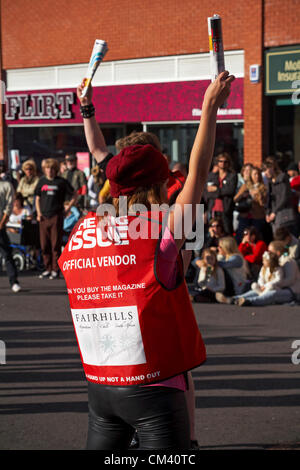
pixel 282 89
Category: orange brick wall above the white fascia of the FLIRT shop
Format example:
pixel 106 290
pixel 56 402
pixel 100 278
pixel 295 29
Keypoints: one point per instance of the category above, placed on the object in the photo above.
pixel 63 31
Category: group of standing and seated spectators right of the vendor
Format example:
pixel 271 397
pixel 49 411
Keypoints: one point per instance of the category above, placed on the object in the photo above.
pixel 251 250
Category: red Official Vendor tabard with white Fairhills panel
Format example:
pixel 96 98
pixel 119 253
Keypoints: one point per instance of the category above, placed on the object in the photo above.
pixel 130 329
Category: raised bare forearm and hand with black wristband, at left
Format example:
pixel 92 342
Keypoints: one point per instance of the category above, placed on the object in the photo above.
pixel 93 134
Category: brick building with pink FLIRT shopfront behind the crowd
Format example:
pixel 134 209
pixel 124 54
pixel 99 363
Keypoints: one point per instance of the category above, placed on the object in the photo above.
pixel 153 76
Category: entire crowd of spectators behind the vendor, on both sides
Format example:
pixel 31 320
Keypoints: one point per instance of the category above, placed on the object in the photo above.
pixel 246 212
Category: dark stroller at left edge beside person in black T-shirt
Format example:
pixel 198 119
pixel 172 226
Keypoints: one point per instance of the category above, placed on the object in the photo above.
pixel 24 241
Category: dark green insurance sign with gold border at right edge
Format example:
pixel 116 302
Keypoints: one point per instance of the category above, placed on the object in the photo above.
pixel 282 67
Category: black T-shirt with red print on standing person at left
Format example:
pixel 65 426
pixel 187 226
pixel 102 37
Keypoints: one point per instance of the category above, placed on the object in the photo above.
pixel 53 194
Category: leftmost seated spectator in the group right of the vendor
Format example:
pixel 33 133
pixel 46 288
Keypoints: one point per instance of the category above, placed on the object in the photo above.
pixel 210 278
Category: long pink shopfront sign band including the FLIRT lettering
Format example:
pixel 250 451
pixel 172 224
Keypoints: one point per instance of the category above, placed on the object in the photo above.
pixel 149 102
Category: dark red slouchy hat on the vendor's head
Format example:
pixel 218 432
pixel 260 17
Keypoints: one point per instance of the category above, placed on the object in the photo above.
pixel 136 166
